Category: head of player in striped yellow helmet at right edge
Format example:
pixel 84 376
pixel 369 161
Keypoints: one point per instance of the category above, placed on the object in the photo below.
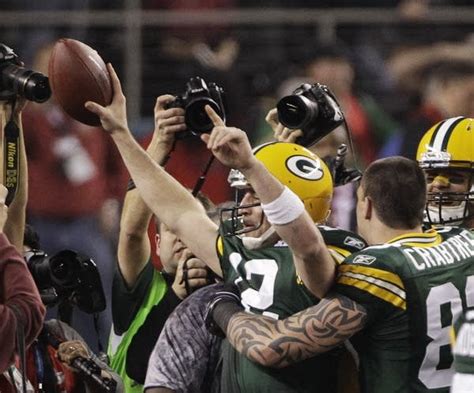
pixel 446 155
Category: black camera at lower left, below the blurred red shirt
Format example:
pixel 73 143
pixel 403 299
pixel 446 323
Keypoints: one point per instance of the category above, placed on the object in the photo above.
pixel 67 276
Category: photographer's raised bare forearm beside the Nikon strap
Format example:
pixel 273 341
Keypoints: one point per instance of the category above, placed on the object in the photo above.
pixel 15 225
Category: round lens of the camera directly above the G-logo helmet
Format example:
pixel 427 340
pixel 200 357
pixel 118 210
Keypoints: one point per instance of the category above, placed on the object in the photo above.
pixel 296 111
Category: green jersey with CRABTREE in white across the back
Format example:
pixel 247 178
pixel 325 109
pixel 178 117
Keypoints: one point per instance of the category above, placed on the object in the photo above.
pixel 413 289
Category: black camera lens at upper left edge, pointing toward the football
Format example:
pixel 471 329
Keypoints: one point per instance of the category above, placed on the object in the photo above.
pixel 32 85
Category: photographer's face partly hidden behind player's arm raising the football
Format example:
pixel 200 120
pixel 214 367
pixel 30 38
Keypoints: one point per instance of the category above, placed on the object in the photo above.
pixel 168 247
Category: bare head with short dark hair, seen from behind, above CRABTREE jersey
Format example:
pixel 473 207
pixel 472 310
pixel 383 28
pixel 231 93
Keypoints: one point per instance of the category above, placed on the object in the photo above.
pixel 392 190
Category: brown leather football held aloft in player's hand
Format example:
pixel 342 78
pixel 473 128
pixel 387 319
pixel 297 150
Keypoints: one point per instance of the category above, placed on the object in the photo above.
pixel 78 74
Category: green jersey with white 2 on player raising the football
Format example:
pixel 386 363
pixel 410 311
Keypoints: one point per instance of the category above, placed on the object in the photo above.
pixel 270 286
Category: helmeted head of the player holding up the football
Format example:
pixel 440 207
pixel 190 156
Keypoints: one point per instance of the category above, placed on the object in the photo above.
pixel 295 167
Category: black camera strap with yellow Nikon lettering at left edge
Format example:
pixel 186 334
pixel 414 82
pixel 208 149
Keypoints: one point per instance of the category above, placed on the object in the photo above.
pixel 11 145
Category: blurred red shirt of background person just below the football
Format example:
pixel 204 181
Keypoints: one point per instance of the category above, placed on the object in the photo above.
pixel 72 168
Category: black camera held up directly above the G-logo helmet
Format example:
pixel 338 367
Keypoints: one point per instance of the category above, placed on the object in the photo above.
pixel 312 109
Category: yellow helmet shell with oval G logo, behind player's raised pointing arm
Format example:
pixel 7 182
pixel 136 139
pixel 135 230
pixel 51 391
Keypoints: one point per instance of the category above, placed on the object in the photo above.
pixel 303 172
